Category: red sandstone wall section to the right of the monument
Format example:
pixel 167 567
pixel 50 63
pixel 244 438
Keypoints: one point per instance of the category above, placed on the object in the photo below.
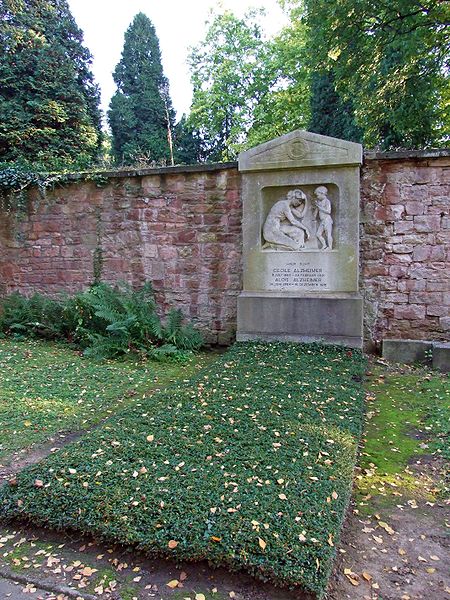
pixel 405 247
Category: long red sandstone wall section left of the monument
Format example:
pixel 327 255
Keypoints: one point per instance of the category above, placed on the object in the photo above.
pixel 180 230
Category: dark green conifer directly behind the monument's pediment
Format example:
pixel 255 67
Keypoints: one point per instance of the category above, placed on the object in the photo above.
pixel 330 115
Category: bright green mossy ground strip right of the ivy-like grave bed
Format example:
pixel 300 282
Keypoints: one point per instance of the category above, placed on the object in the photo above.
pixel 406 409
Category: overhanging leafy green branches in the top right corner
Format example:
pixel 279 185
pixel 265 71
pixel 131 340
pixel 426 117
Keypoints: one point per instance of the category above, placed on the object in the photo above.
pixel 389 58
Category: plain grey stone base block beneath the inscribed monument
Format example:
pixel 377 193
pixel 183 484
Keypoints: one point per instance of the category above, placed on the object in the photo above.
pixel 333 319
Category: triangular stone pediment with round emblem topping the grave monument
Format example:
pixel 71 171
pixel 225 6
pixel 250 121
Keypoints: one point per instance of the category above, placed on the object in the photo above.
pixel 300 149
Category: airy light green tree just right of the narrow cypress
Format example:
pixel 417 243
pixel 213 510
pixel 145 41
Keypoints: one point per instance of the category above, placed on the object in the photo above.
pixel 230 77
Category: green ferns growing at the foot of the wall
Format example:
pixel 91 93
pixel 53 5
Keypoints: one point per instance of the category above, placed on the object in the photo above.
pixel 105 321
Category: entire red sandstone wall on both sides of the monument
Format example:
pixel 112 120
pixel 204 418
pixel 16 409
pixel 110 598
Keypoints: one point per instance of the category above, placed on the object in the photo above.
pixel 182 231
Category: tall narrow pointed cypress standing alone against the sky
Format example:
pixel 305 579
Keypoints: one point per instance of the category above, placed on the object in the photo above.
pixel 141 116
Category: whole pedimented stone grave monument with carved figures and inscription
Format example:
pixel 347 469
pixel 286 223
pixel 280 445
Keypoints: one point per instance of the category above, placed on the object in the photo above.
pixel 300 240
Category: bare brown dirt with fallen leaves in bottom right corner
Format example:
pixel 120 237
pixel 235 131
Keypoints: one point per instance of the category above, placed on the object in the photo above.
pixel 405 555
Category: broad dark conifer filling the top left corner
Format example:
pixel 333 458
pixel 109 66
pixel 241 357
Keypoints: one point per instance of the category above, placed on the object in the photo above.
pixel 48 99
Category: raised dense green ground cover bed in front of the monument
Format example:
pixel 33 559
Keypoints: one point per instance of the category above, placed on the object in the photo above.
pixel 249 465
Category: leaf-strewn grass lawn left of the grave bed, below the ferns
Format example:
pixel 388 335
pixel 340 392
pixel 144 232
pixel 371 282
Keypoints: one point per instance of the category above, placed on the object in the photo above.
pixel 46 388
